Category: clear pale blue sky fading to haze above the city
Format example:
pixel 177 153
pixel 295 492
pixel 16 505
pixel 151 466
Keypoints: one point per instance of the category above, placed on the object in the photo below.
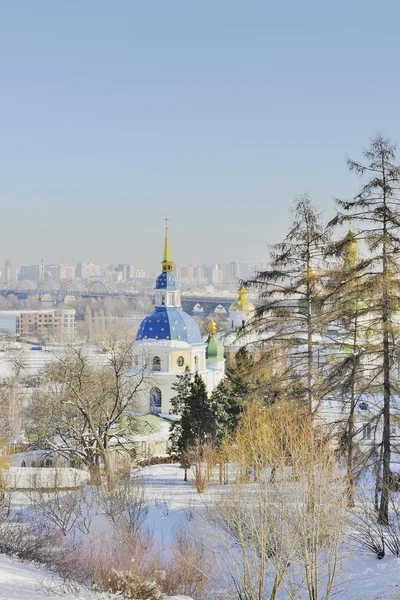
pixel 217 112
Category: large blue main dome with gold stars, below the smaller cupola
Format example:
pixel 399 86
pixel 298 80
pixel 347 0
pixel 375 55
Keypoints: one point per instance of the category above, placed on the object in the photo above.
pixel 169 323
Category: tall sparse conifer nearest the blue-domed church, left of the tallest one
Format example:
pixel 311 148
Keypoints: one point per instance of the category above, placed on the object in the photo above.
pixel 290 294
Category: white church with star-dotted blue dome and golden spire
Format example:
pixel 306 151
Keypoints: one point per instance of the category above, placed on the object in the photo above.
pixel 169 340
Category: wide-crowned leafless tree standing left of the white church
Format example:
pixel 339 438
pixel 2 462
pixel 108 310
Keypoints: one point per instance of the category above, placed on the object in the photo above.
pixel 94 406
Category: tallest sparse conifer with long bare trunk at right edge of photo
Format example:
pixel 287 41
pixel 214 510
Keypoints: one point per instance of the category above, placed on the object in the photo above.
pixel 376 208
